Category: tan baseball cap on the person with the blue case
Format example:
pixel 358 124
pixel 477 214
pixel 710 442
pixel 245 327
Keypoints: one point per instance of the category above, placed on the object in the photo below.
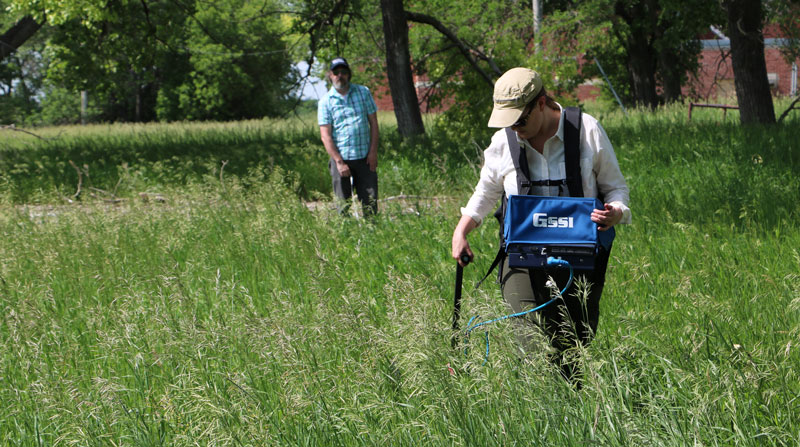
pixel 512 92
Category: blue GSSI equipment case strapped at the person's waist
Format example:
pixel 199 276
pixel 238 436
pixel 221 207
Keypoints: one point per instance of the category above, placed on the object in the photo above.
pixel 537 227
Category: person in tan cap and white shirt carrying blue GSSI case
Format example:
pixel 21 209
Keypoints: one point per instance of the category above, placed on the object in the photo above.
pixel 521 103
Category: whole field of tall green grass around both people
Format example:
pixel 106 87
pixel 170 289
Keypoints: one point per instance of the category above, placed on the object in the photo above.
pixel 228 313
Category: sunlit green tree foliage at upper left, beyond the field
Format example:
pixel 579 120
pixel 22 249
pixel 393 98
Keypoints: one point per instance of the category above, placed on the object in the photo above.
pixel 187 59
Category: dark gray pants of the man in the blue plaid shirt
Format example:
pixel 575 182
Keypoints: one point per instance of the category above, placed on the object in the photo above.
pixel 365 182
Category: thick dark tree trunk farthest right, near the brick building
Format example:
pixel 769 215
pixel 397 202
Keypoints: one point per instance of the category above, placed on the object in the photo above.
pixel 747 58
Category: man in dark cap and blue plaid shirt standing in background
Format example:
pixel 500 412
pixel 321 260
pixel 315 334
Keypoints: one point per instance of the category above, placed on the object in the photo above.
pixel 348 124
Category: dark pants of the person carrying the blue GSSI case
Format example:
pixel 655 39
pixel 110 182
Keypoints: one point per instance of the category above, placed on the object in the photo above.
pixel 567 322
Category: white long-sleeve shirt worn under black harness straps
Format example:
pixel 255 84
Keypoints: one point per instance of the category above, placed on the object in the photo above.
pixel 599 170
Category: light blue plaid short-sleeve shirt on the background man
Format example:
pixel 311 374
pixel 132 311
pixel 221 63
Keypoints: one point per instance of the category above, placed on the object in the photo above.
pixel 347 116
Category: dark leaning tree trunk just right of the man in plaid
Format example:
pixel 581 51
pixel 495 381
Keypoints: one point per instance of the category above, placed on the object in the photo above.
pixel 398 67
